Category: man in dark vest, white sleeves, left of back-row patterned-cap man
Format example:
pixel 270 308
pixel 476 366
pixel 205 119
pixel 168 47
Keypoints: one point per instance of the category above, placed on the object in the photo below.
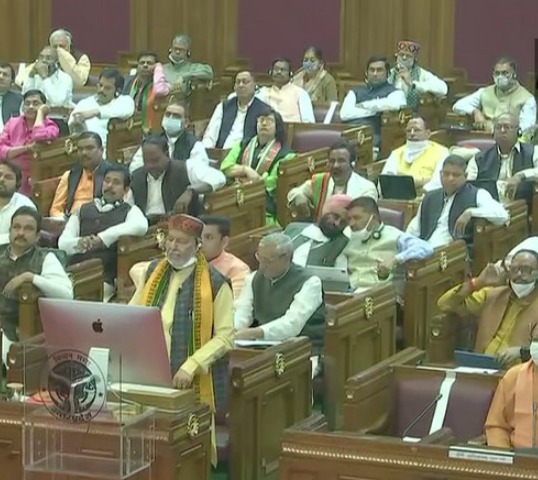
pixel 364 104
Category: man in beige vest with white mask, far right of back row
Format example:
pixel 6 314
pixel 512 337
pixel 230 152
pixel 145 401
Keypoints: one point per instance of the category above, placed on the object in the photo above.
pixel 506 94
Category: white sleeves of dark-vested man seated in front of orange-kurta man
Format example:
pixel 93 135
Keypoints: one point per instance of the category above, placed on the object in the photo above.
pixel 135 224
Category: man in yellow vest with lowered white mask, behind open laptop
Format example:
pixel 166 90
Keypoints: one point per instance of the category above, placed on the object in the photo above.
pixel 420 157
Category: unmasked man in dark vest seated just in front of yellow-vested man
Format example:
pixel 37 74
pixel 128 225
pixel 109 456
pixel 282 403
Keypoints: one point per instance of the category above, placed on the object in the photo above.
pixel 446 213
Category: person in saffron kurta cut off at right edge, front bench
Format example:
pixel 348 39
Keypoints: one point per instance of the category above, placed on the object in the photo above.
pixel 512 420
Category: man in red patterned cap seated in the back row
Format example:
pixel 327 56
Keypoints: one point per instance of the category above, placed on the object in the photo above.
pixel 413 79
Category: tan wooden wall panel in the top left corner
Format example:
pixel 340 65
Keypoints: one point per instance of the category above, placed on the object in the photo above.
pixel 24 29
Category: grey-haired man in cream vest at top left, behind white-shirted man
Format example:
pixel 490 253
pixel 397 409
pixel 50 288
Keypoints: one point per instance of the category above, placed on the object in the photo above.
pixel 73 62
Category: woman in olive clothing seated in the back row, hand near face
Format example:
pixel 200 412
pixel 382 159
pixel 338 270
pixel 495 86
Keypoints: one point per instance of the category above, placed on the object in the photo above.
pixel 313 77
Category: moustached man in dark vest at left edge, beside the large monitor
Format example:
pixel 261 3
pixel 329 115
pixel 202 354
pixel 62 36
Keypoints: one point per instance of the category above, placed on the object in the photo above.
pixel 23 261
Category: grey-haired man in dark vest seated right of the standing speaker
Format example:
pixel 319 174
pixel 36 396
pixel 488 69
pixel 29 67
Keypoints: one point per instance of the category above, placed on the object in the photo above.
pixel 280 300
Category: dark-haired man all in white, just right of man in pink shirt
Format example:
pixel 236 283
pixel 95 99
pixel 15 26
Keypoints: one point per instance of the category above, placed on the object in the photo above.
pixel 93 113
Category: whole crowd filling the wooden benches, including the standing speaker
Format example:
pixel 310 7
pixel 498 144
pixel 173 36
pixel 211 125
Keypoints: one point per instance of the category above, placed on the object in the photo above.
pixel 344 220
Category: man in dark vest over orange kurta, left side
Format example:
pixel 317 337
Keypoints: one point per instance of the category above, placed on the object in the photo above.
pixel 84 181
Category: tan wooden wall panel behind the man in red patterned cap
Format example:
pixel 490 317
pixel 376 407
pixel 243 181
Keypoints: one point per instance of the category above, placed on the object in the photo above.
pixel 371 27
